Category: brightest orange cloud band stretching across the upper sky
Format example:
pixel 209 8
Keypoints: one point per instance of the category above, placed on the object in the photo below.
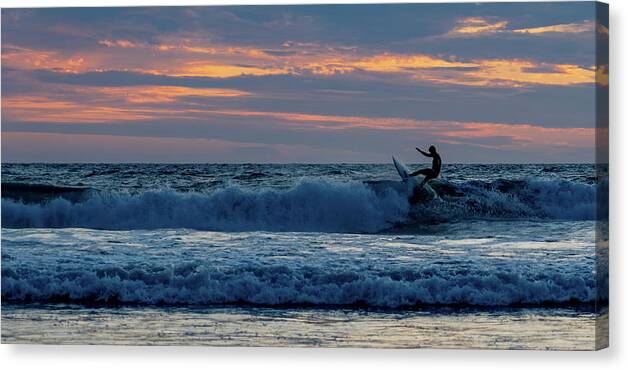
pixel 221 61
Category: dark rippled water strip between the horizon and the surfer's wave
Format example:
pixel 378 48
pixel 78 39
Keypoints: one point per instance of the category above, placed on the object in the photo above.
pixel 200 177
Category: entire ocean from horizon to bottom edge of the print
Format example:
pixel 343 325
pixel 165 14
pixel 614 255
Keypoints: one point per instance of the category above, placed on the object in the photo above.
pixel 494 256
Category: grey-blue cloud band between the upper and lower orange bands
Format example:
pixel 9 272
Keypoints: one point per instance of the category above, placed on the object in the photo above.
pixel 545 105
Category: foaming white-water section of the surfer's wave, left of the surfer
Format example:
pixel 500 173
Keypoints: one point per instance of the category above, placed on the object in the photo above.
pixel 311 205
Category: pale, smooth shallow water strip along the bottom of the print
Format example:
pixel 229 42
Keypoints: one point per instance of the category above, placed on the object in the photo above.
pixel 554 329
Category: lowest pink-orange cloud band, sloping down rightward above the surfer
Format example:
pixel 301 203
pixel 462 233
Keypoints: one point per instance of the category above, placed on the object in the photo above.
pixel 482 134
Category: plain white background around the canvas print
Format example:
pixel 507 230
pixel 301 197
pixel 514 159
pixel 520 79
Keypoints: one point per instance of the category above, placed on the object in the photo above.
pixel 184 358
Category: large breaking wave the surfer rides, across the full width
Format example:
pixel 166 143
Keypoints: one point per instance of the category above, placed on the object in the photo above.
pixel 310 205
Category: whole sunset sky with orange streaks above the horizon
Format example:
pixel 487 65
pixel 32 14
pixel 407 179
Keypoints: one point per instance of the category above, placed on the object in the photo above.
pixel 500 82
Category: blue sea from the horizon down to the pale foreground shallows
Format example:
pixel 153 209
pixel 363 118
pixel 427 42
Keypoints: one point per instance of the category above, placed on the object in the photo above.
pixel 303 235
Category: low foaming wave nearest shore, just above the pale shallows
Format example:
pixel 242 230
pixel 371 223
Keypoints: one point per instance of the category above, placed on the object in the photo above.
pixel 197 284
